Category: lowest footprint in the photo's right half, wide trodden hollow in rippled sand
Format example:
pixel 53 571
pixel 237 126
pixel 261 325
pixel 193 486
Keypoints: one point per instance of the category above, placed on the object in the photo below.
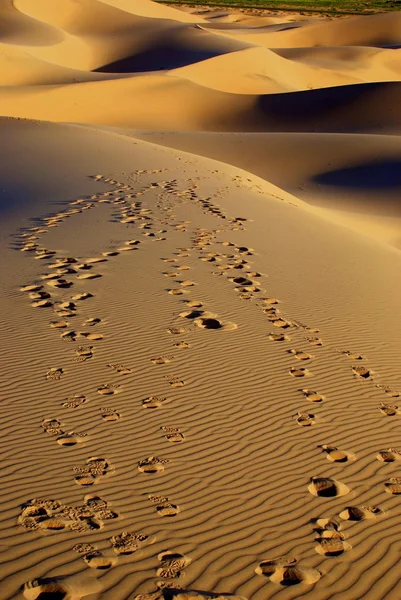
pixel 285 571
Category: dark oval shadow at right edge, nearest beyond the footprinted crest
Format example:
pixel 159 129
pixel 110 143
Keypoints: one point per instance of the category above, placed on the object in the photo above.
pixel 375 175
